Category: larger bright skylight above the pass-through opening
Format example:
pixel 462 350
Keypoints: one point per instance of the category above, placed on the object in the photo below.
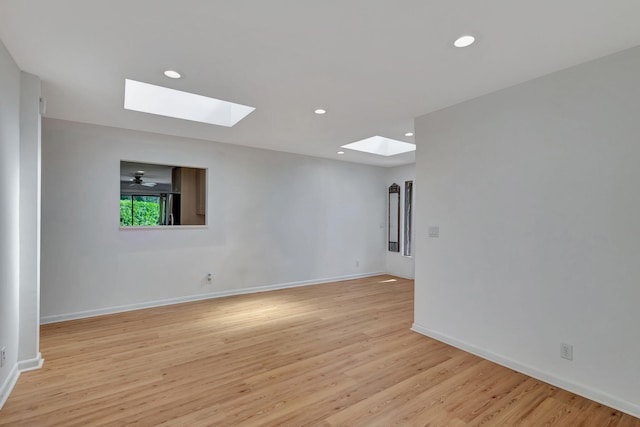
pixel 148 98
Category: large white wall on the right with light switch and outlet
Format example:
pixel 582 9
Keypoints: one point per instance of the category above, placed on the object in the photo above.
pixel 536 192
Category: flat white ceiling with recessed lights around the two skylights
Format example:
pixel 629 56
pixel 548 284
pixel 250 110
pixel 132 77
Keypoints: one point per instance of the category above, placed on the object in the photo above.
pixel 374 65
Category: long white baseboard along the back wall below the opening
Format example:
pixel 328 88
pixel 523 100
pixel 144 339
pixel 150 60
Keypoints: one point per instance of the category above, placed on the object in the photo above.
pixel 158 303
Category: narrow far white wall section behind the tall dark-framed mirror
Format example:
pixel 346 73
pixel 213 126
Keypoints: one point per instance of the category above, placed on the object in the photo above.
pixel 397 264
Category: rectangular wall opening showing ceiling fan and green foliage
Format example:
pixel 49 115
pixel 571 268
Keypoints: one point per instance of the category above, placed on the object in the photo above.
pixel 154 195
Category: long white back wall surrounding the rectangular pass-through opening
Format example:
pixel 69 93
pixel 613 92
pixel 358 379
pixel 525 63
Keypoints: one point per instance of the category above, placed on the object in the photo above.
pixel 274 218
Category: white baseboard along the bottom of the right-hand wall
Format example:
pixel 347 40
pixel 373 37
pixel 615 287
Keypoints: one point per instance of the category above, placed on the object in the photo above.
pixel 580 389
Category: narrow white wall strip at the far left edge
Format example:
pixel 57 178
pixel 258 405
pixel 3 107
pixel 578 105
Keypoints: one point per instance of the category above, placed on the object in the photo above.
pixel 9 217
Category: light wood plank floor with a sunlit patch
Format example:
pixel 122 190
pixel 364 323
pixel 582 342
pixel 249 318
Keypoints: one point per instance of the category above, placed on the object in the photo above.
pixel 327 355
